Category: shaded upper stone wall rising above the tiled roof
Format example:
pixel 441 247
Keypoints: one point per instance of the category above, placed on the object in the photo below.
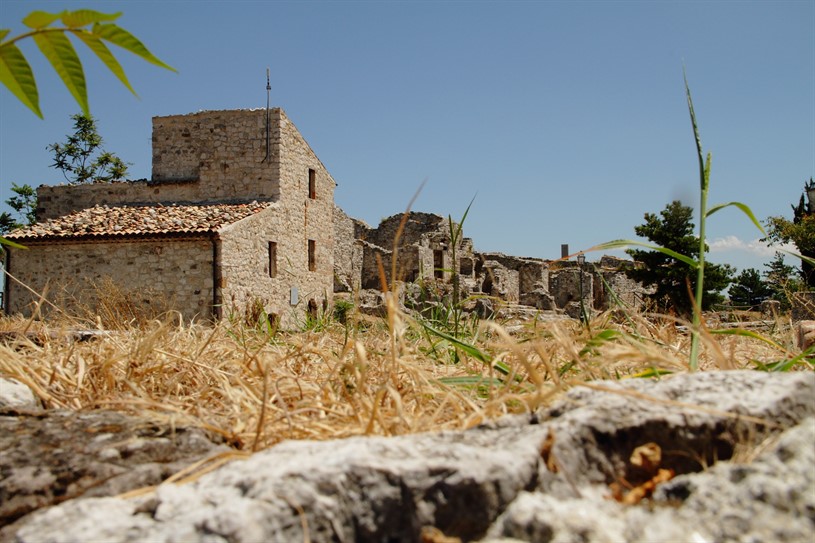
pixel 205 157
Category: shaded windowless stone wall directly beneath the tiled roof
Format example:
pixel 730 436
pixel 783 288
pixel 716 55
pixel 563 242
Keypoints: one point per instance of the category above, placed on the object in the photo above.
pixel 164 273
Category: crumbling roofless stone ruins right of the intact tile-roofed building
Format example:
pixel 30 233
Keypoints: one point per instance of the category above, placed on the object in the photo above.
pixel 427 256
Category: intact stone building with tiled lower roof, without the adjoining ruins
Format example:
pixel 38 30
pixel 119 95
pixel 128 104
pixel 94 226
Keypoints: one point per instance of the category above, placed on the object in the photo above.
pixel 237 217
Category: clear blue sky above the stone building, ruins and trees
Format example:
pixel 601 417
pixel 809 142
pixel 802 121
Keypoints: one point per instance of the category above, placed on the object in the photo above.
pixel 566 120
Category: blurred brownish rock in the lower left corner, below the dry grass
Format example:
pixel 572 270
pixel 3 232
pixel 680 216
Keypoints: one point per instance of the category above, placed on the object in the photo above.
pixel 48 457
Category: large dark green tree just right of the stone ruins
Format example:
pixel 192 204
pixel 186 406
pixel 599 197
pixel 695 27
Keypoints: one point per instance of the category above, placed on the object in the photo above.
pixel 673 229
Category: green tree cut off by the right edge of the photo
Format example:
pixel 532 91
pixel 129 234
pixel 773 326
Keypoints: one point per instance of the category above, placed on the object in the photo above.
pixel 800 231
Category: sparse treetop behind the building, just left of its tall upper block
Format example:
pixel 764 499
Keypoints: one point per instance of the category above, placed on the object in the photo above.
pixel 75 158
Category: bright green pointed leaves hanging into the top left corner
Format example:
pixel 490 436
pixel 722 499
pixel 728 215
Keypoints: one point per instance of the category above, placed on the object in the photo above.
pixel 92 28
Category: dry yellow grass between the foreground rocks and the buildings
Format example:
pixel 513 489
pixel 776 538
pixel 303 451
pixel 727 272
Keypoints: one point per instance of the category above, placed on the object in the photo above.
pixel 375 376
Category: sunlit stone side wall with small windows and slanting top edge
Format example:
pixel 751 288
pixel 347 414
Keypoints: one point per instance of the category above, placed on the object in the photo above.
pixel 300 218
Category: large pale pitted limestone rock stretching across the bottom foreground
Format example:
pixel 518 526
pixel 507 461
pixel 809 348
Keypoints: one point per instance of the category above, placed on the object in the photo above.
pixel 544 477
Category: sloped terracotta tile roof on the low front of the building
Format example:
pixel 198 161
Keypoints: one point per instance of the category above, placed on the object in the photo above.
pixel 127 221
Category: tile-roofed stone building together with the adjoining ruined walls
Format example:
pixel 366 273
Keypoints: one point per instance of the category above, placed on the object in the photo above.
pixel 238 219
